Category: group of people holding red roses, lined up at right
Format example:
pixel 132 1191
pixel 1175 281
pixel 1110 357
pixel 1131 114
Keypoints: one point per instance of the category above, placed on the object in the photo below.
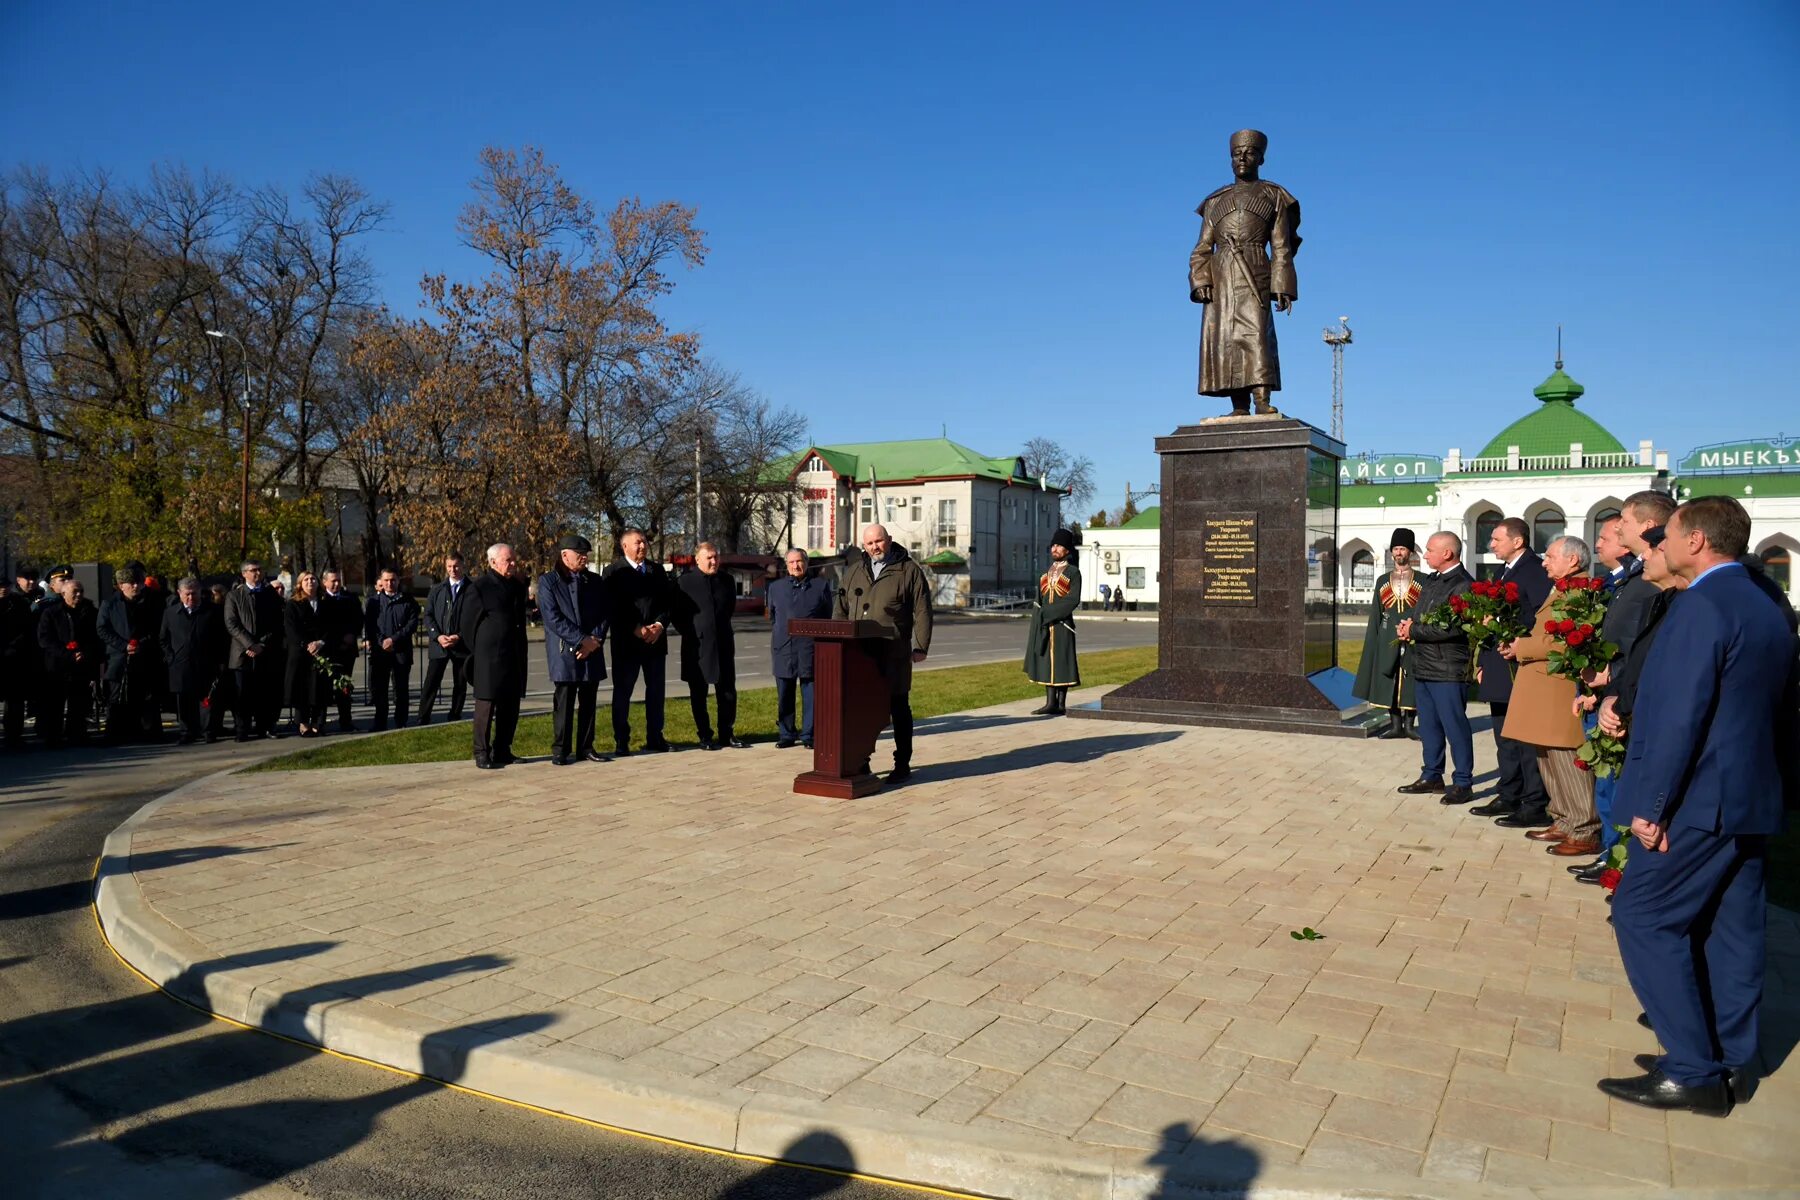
pixel 1705 694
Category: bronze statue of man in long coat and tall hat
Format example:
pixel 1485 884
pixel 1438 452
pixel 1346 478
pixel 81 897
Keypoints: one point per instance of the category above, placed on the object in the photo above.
pixel 1245 264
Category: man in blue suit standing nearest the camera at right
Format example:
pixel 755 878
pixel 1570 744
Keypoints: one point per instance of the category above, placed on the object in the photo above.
pixel 1704 793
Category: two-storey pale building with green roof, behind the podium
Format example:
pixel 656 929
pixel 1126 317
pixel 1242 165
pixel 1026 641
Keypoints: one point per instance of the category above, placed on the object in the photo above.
pixel 980 523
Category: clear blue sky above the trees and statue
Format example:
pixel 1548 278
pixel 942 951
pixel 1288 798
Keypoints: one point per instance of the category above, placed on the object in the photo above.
pixel 978 217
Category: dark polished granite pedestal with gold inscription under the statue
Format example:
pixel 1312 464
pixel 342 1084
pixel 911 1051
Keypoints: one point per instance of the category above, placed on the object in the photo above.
pixel 1248 620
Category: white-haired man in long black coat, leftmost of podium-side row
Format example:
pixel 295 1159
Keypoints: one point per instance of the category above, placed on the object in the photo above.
pixel 494 631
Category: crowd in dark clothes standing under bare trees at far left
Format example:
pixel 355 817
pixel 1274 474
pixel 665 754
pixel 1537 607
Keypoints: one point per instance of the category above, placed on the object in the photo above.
pixel 249 652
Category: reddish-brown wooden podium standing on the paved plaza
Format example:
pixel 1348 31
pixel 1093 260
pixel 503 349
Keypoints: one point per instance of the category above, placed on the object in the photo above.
pixel 849 706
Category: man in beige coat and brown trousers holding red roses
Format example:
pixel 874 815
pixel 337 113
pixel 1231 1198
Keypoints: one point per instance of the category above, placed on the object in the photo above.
pixel 1543 717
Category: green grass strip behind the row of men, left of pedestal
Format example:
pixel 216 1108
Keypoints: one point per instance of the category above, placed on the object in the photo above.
pixel 935 694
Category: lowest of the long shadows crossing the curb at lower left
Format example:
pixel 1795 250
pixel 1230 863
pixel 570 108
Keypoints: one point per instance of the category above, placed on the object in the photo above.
pixel 298 1134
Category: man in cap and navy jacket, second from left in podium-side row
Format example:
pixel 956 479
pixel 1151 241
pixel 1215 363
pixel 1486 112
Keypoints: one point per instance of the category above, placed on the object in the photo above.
pixel 573 604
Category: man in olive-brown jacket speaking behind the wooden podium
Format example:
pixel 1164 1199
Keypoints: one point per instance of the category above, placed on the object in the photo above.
pixel 888 587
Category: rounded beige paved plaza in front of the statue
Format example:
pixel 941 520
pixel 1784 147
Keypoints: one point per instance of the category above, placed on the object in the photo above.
pixel 1057 963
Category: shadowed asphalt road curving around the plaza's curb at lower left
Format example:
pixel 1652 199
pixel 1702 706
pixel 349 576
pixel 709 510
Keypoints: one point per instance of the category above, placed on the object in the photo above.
pixel 112 1091
